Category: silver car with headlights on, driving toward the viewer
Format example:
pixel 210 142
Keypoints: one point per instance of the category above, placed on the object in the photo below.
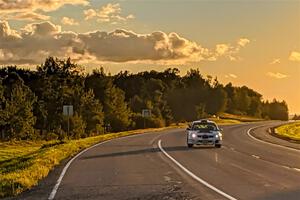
pixel 204 132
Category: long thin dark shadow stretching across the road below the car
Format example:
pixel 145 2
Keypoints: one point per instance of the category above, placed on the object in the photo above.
pixel 143 151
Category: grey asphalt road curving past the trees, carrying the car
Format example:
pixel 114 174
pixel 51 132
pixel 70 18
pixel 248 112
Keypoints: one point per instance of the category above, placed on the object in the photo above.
pixel 135 168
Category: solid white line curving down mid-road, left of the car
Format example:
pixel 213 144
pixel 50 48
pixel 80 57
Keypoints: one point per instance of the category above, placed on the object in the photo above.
pixel 194 176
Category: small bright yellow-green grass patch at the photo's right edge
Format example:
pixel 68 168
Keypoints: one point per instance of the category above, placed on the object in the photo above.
pixel 291 131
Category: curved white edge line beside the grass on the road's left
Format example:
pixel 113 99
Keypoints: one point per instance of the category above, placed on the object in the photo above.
pixel 58 182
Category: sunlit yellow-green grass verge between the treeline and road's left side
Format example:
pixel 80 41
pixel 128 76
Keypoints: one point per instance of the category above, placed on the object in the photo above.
pixel 24 163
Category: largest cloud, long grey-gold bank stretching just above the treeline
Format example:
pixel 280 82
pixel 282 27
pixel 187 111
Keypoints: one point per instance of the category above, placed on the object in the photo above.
pixel 36 41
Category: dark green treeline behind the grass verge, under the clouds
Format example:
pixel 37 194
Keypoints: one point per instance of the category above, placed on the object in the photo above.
pixel 31 102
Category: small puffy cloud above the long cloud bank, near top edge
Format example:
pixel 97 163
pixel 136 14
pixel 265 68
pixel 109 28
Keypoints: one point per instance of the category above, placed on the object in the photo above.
pixel 110 12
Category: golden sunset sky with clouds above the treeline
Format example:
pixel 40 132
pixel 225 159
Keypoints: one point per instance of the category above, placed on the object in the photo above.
pixel 247 42
